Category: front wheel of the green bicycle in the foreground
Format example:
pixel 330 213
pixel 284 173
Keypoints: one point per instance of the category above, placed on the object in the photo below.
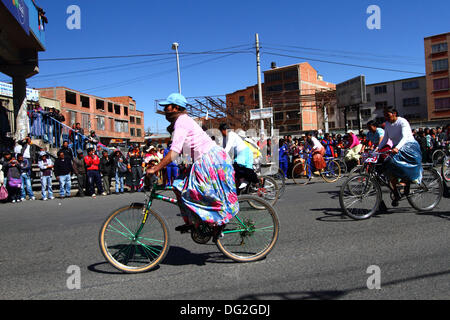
pixel 128 251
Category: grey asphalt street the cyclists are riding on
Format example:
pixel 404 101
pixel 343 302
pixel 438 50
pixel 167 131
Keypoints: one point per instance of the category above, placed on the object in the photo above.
pixel 319 254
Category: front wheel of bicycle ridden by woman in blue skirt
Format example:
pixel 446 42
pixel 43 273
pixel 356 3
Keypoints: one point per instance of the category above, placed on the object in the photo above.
pixel 360 196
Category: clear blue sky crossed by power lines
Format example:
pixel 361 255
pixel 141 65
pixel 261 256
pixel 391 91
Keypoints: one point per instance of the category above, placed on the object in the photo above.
pixel 338 28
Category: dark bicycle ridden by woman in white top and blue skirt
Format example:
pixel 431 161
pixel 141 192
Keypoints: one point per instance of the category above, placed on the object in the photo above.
pixel 360 195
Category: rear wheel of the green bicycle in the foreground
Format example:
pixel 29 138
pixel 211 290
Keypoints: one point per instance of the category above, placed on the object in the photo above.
pixel 252 233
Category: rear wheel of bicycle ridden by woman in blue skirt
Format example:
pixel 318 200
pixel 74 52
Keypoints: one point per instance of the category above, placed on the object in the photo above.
pixel 428 194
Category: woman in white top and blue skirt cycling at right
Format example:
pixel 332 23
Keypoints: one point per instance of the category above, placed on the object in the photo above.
pixel 406 162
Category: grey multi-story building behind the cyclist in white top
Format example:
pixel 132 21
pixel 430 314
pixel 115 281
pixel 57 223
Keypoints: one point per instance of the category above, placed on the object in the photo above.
pixel 408 96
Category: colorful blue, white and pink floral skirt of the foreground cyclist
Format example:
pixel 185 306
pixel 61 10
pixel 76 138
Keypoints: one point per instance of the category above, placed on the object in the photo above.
pixel 209 191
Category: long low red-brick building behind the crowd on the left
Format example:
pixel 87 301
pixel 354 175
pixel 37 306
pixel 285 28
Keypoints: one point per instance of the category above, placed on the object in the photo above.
pixel 115 120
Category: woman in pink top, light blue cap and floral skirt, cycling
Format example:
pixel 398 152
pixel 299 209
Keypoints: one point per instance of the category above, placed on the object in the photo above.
pixel 209 191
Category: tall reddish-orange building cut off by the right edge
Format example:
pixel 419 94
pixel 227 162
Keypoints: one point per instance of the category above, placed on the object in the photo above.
pixel 437 75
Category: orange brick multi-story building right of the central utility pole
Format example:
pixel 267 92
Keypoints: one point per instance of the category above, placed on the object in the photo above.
pixel 290 91
